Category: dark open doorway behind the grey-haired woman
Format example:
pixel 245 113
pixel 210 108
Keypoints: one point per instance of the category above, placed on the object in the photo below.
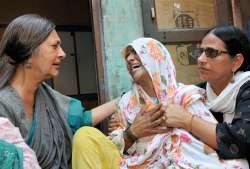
pixel 78 77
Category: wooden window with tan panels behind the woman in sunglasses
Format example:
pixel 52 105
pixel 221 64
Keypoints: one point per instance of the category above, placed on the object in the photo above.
pixel 180 25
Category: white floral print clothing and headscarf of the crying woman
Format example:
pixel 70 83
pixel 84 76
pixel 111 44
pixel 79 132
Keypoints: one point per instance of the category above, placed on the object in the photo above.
pixel 177 148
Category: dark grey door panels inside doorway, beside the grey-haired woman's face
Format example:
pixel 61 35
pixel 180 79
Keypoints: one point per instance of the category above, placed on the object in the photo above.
pixel 77 76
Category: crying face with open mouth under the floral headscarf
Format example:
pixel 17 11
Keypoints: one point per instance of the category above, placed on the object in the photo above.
pixel 136 69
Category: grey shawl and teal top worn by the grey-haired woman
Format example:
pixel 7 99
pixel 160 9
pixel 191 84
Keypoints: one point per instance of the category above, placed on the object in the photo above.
pixel 55 118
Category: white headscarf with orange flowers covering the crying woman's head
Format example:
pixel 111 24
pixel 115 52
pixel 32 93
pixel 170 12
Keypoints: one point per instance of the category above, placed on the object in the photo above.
pixel 157 61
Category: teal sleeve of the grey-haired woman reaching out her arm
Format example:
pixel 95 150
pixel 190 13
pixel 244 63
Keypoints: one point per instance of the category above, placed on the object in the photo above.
pixel 77 115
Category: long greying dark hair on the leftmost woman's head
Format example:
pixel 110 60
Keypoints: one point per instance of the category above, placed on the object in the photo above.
pixel 22 36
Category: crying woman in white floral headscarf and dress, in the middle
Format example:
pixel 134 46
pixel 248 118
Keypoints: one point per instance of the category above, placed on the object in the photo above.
pixel 152 70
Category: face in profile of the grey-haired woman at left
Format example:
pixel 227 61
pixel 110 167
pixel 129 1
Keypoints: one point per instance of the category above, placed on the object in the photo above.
pixel 47 58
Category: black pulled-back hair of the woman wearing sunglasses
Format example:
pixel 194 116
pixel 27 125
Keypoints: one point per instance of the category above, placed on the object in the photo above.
pixel 235 42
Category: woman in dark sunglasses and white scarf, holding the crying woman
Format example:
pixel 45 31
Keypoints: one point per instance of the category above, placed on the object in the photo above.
pixel 224 66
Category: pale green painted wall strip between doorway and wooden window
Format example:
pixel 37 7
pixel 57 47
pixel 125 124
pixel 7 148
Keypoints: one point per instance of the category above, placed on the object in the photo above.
pixel 122 23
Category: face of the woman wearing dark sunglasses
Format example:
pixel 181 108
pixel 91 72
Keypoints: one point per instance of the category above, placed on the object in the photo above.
pixel 219 68
